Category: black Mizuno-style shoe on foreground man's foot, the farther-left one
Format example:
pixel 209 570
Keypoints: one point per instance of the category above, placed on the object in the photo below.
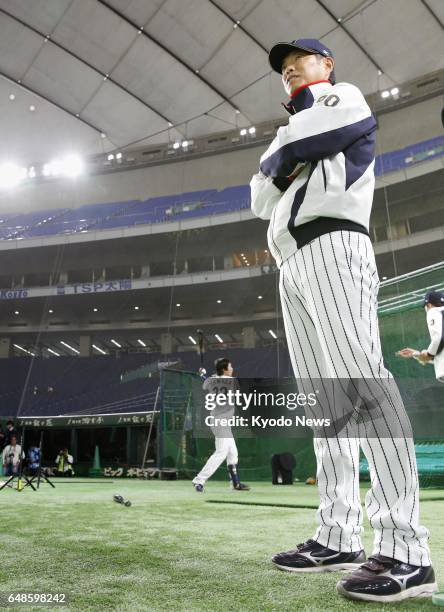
pixel 313 557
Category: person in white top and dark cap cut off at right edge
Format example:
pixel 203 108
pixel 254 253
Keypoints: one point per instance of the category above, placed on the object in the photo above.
pixel 434 354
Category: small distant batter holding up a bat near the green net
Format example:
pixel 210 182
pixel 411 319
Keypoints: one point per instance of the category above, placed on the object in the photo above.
pixel 221 382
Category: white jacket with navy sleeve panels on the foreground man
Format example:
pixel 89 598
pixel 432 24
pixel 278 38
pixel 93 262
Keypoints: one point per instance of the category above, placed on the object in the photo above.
pixel 328 147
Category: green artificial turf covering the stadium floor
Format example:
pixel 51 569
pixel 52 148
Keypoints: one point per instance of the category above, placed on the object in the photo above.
pixel 172 550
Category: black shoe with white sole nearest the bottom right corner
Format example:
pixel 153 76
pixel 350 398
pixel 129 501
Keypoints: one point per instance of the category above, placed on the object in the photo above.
pixel 387 580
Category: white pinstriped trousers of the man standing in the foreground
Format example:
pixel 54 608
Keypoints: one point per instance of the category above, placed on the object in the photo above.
pixel 329 301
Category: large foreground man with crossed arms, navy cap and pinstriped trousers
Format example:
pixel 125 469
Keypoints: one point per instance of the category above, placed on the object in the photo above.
pixel 315 186
